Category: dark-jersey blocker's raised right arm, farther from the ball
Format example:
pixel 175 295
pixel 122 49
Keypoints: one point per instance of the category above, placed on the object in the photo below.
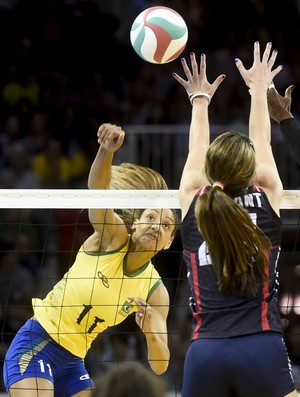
pixel 258 78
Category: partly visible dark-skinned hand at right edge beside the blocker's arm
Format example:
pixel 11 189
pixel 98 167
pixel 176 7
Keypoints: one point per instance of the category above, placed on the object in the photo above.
pixel 280 106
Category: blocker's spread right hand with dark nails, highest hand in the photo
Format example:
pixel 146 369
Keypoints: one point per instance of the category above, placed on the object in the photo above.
pixel 260 74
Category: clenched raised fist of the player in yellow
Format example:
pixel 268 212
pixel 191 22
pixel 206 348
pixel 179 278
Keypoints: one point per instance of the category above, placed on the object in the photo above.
pixel 110 137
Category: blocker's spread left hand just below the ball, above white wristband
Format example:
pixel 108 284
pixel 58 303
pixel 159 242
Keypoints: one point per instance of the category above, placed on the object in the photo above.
pixel 196 77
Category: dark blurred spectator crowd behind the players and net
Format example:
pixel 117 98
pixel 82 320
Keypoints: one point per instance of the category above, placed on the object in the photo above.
pixel 66 67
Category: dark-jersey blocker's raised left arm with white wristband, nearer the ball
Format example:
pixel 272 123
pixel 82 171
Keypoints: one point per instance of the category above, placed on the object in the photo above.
pixel 200 93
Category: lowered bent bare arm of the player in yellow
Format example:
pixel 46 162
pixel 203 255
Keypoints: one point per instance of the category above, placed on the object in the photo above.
pixel 151 317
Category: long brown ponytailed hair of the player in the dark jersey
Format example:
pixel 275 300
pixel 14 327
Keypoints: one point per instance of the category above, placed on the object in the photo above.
pixel 238 248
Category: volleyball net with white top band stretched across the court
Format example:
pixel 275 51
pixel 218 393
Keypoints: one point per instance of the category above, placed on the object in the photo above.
pixel 41 232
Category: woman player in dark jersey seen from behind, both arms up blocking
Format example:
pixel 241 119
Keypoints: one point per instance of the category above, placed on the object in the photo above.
pixel 230 194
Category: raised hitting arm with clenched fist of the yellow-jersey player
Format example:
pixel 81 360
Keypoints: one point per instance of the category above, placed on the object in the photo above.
pixel 105 221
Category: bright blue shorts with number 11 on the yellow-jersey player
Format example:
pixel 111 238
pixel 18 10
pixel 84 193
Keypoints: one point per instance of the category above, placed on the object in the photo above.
pixel 34 354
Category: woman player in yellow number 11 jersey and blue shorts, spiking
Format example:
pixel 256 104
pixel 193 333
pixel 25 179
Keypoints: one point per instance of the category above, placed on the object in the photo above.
pixel 111 278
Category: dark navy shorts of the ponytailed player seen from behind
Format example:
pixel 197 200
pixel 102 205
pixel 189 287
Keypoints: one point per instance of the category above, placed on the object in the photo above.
pixel 253 365
